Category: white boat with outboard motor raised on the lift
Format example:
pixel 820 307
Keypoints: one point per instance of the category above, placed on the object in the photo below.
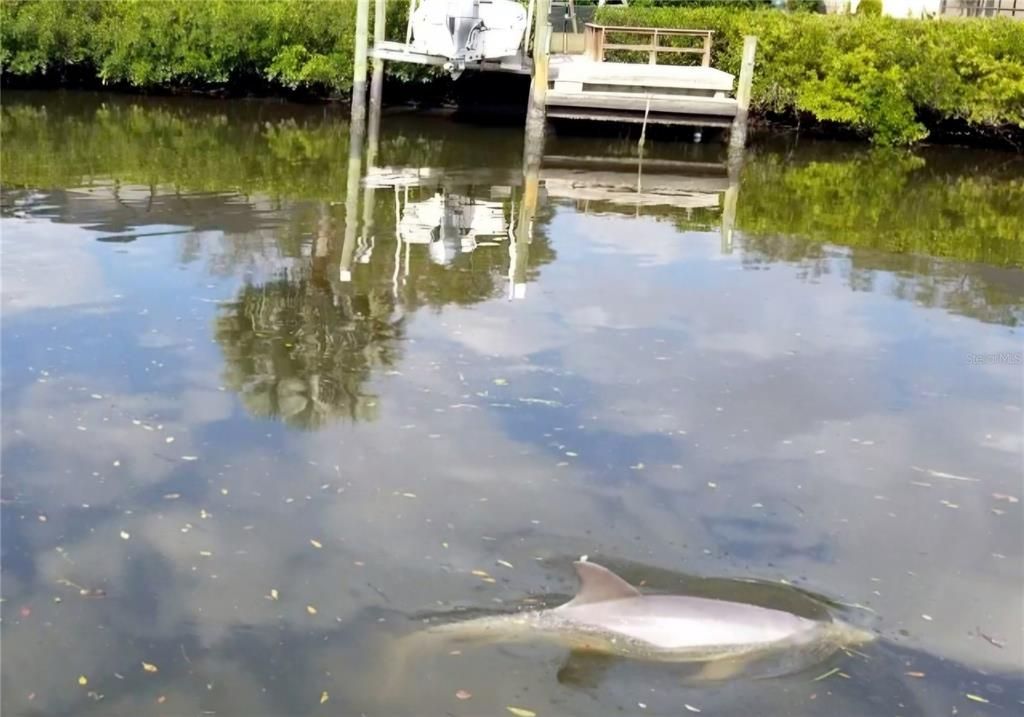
pixel 470 31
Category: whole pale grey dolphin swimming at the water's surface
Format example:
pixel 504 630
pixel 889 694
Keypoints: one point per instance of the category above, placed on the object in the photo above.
pixel 611 617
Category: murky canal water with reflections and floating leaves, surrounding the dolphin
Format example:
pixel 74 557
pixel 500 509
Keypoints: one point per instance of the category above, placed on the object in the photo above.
pixel 249 448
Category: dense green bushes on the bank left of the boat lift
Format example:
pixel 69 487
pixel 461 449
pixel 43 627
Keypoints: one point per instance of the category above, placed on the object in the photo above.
pixel 291 45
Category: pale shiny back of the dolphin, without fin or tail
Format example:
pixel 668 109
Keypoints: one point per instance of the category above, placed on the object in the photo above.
pixel 670 622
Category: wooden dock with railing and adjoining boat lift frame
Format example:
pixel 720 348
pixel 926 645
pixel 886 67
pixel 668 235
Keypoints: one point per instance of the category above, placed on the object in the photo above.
pixel 608 73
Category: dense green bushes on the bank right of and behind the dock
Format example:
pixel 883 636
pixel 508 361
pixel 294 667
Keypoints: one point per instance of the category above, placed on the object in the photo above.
pixel 889 79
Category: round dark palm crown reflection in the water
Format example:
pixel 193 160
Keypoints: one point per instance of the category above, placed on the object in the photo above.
pixel 302 350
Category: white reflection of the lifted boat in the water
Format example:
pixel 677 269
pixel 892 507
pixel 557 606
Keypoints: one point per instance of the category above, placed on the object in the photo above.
pixel 451 225
